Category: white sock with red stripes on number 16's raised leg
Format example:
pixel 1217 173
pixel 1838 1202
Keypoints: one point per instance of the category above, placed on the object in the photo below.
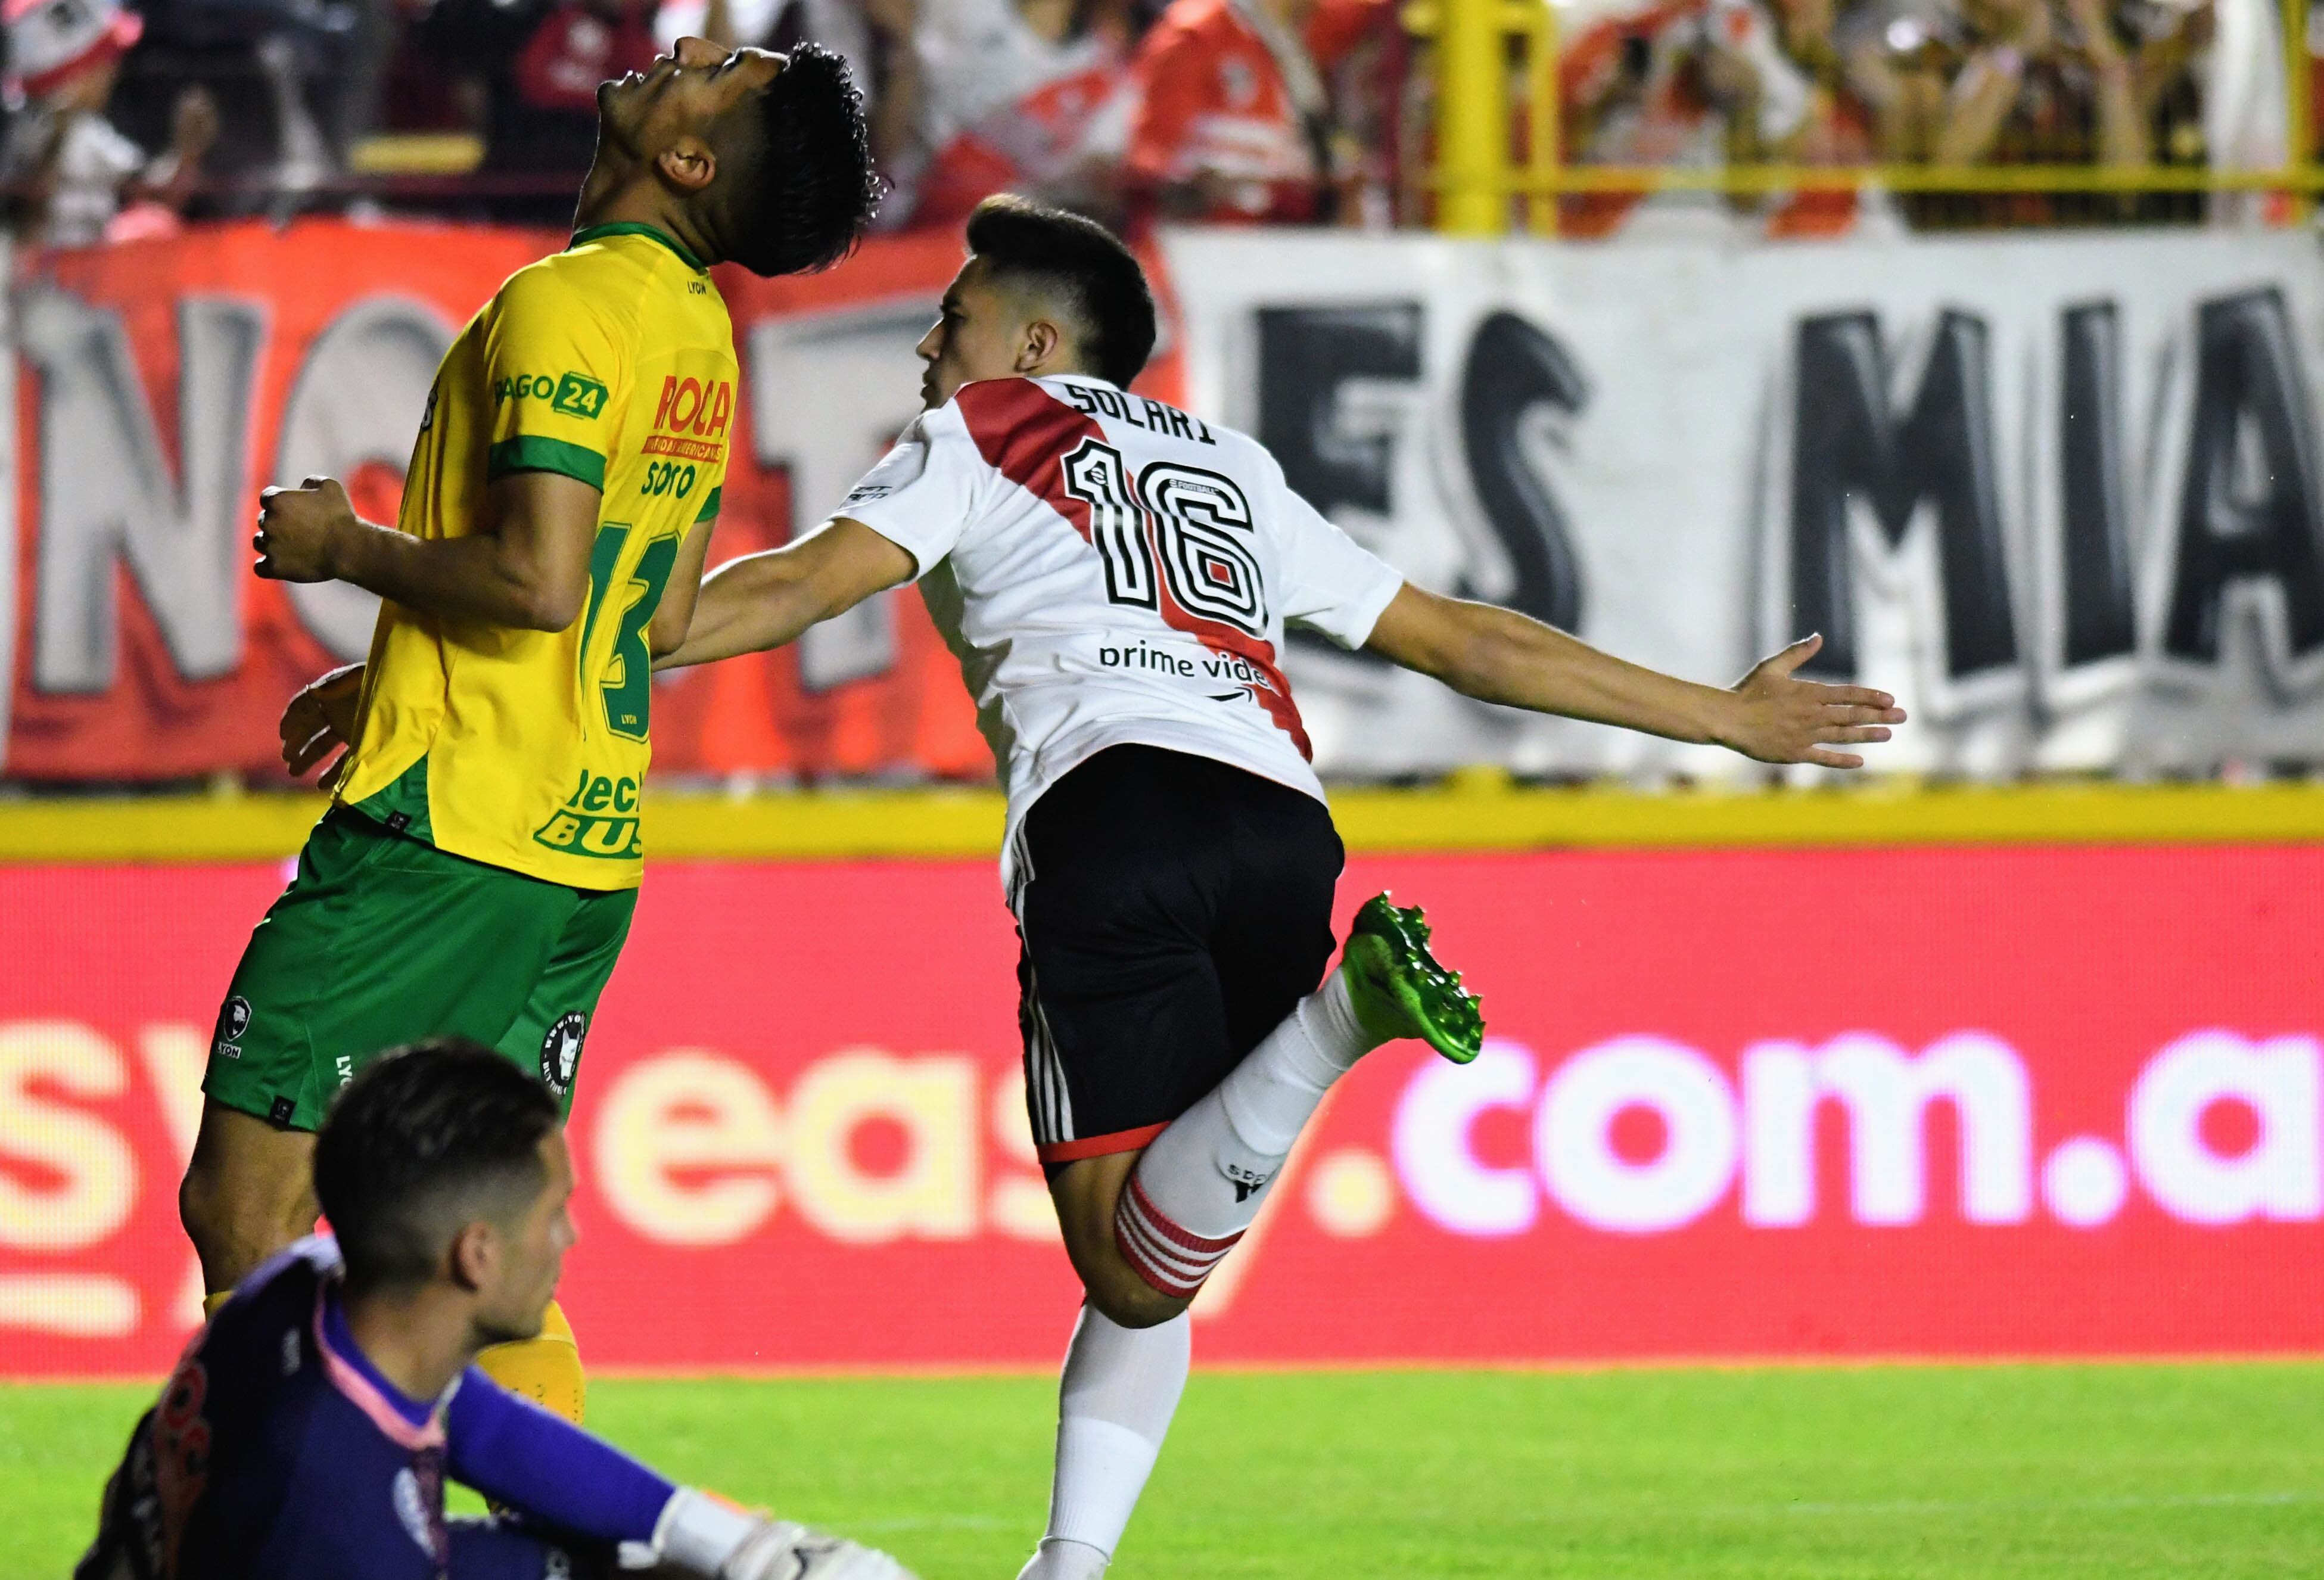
pixel 1205 1179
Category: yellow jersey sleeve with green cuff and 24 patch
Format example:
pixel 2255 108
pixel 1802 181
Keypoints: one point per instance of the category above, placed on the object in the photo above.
pixel 557 373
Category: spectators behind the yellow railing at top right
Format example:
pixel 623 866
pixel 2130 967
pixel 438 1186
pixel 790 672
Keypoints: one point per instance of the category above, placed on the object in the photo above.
pixel 2002 85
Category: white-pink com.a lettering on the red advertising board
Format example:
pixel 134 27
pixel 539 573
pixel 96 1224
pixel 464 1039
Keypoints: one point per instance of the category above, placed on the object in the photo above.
pixel 1749 1142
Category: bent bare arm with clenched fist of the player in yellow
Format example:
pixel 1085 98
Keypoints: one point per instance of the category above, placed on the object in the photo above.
pixel 529 573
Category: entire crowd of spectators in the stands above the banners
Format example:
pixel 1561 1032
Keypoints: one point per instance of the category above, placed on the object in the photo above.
pixel 127 117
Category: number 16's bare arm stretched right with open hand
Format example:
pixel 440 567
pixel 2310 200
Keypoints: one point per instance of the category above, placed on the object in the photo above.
pixel 1505 656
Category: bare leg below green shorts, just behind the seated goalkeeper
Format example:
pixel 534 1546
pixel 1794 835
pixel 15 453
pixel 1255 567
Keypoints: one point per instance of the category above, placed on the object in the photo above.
pixel 248 1193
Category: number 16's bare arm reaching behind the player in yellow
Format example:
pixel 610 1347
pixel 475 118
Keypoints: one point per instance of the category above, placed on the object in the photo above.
pixel 766 601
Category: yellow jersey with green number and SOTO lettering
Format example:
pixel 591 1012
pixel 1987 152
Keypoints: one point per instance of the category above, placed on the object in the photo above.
pixel 612 364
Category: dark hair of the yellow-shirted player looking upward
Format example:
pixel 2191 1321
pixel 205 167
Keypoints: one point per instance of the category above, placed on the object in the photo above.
pixel 796 187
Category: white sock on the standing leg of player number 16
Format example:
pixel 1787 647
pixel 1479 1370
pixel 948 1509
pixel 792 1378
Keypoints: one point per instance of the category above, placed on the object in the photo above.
pixel 1114 1402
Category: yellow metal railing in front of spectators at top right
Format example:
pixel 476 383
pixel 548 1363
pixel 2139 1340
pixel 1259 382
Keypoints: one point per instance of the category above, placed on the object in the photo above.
pixel 1477 180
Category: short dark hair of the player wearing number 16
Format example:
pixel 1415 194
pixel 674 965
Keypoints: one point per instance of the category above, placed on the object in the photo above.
pixel 1082 266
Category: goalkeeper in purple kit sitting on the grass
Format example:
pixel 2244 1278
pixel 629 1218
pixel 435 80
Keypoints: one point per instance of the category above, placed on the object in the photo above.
pixel 310 1428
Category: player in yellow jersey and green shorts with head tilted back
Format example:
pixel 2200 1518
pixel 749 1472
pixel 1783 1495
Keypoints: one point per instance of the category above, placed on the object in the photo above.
pixel 482 854
